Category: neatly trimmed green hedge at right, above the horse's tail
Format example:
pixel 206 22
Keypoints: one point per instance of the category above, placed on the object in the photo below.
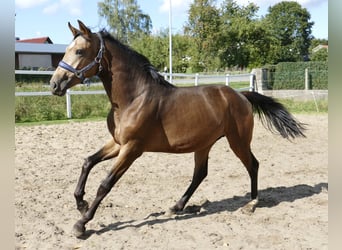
pixel 291 75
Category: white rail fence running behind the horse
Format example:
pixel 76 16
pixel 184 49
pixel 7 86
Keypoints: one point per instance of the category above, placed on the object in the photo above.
pixel 177 79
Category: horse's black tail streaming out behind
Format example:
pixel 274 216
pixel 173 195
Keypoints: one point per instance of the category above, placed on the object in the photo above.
pixel 275 116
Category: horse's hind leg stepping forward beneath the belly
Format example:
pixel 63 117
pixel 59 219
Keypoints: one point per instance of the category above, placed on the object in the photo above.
pixel 200 172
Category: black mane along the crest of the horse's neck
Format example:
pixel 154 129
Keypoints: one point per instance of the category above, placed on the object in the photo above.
pixel 141 61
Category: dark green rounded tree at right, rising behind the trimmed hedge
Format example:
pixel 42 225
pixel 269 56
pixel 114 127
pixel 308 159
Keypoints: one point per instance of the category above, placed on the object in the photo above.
pixel 290 30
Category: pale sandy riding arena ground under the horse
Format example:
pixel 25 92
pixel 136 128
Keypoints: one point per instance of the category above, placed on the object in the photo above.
pixel 293 191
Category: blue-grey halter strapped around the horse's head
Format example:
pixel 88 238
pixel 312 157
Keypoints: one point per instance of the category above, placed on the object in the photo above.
pixel 80 73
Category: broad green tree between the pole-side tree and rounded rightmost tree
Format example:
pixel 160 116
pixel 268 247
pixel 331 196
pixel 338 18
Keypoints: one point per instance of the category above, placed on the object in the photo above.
pixel 244 39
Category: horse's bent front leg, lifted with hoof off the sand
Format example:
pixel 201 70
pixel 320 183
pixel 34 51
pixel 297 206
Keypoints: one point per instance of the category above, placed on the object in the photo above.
pixel 108 151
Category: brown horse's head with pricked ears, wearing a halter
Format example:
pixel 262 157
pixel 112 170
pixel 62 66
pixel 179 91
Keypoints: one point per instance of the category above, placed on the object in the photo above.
pixel 81 60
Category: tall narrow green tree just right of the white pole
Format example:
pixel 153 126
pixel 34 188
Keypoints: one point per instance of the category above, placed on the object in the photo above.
pixel 203 28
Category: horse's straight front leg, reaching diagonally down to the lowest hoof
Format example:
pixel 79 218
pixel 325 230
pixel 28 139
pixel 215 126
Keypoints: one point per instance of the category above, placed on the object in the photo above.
pixel 128 153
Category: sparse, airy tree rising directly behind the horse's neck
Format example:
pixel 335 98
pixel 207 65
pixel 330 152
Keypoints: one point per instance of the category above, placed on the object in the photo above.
pixel 125 19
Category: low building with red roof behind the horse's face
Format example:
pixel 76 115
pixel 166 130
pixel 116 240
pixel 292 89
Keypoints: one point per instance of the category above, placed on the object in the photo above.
pixel 38 53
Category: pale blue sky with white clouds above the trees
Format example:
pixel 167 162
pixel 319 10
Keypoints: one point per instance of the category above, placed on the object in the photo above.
pixel 40 18
